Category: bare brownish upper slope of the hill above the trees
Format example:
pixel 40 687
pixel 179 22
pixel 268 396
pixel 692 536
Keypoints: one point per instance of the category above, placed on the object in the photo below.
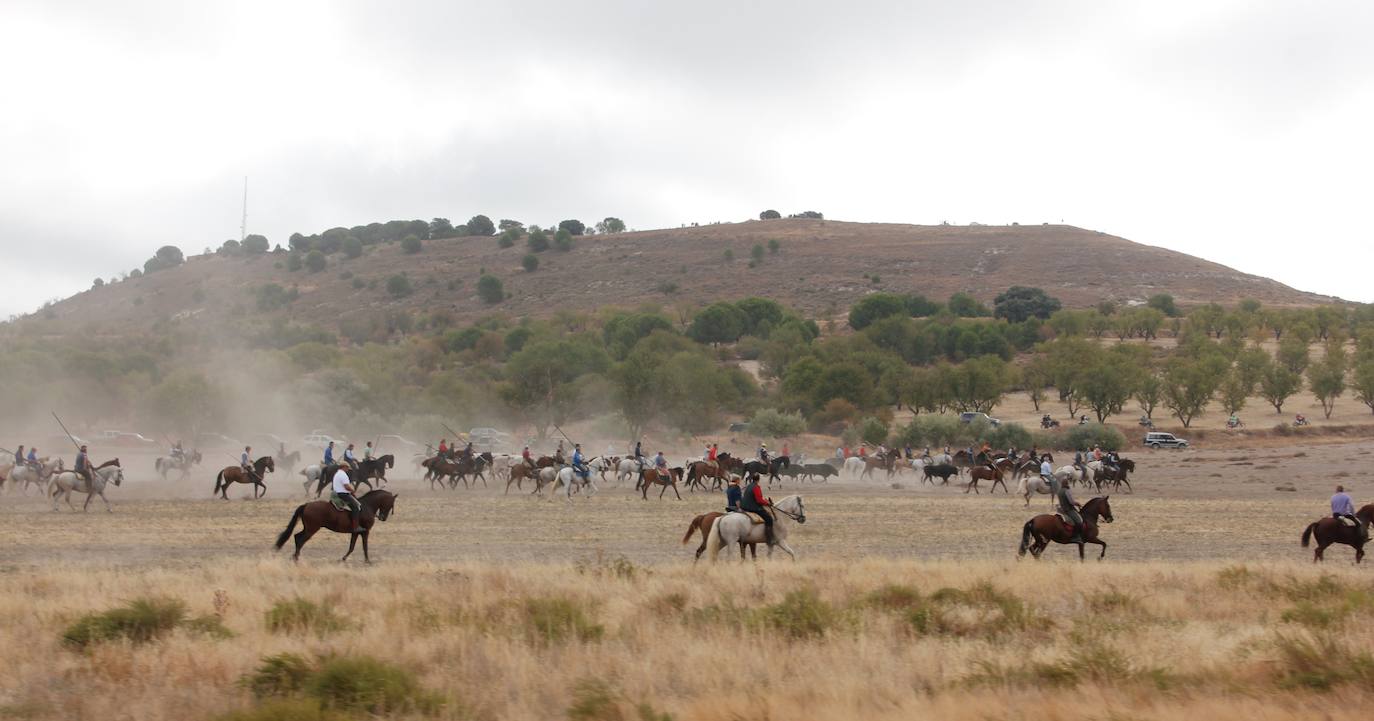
pixel 821 267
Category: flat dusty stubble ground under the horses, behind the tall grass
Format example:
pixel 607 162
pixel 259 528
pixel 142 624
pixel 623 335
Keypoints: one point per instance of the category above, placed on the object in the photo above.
pixel 1197 505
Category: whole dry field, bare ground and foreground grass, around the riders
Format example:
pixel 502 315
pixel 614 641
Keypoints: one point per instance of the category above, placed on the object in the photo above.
pixel 519 608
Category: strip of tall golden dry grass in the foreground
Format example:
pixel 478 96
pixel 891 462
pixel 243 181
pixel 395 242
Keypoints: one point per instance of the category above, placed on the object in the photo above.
pixel 601 641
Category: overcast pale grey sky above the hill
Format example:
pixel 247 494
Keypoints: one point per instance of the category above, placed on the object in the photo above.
pixel 1235 131
